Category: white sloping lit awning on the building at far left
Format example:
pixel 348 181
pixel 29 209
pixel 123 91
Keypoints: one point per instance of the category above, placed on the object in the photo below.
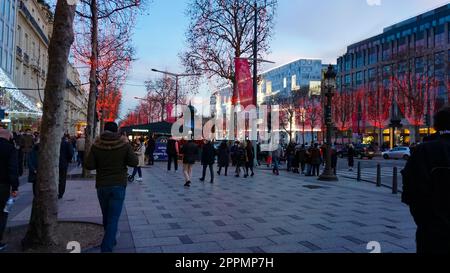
pixel 13 100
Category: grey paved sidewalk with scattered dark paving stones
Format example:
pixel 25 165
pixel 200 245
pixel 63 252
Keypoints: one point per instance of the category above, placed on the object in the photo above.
pixel 266 213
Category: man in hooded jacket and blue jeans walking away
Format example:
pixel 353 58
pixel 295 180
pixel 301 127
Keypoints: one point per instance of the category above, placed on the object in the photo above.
pixel 110 155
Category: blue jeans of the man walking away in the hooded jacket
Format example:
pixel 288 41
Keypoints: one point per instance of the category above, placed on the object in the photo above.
pixel 111 202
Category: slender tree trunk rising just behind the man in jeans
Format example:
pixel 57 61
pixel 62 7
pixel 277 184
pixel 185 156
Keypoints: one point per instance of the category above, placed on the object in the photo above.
pixel 92 103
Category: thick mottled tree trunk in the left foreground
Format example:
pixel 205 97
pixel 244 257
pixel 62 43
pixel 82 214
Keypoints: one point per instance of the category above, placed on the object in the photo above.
pixel 44 214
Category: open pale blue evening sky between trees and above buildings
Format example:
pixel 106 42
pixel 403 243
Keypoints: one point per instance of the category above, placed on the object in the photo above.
pixel 304 28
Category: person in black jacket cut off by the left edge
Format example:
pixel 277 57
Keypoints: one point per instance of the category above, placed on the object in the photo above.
pixel 9 181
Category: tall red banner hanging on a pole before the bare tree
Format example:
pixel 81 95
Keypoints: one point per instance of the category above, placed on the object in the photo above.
pixel 244 82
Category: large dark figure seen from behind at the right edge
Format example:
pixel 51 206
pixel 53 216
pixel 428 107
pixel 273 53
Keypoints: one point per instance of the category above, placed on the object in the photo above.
pixel 426 188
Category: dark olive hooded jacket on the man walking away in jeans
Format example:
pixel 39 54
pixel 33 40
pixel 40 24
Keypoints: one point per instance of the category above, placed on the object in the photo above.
pixel 110 155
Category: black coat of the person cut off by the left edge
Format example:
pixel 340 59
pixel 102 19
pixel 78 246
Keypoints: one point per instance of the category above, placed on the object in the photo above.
pixel 9 165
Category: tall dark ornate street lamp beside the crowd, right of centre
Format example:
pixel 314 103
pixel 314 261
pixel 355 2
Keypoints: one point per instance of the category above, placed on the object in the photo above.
pixel 329 85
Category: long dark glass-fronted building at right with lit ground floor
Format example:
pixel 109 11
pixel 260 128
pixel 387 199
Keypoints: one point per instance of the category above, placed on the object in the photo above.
pixel 418 49
